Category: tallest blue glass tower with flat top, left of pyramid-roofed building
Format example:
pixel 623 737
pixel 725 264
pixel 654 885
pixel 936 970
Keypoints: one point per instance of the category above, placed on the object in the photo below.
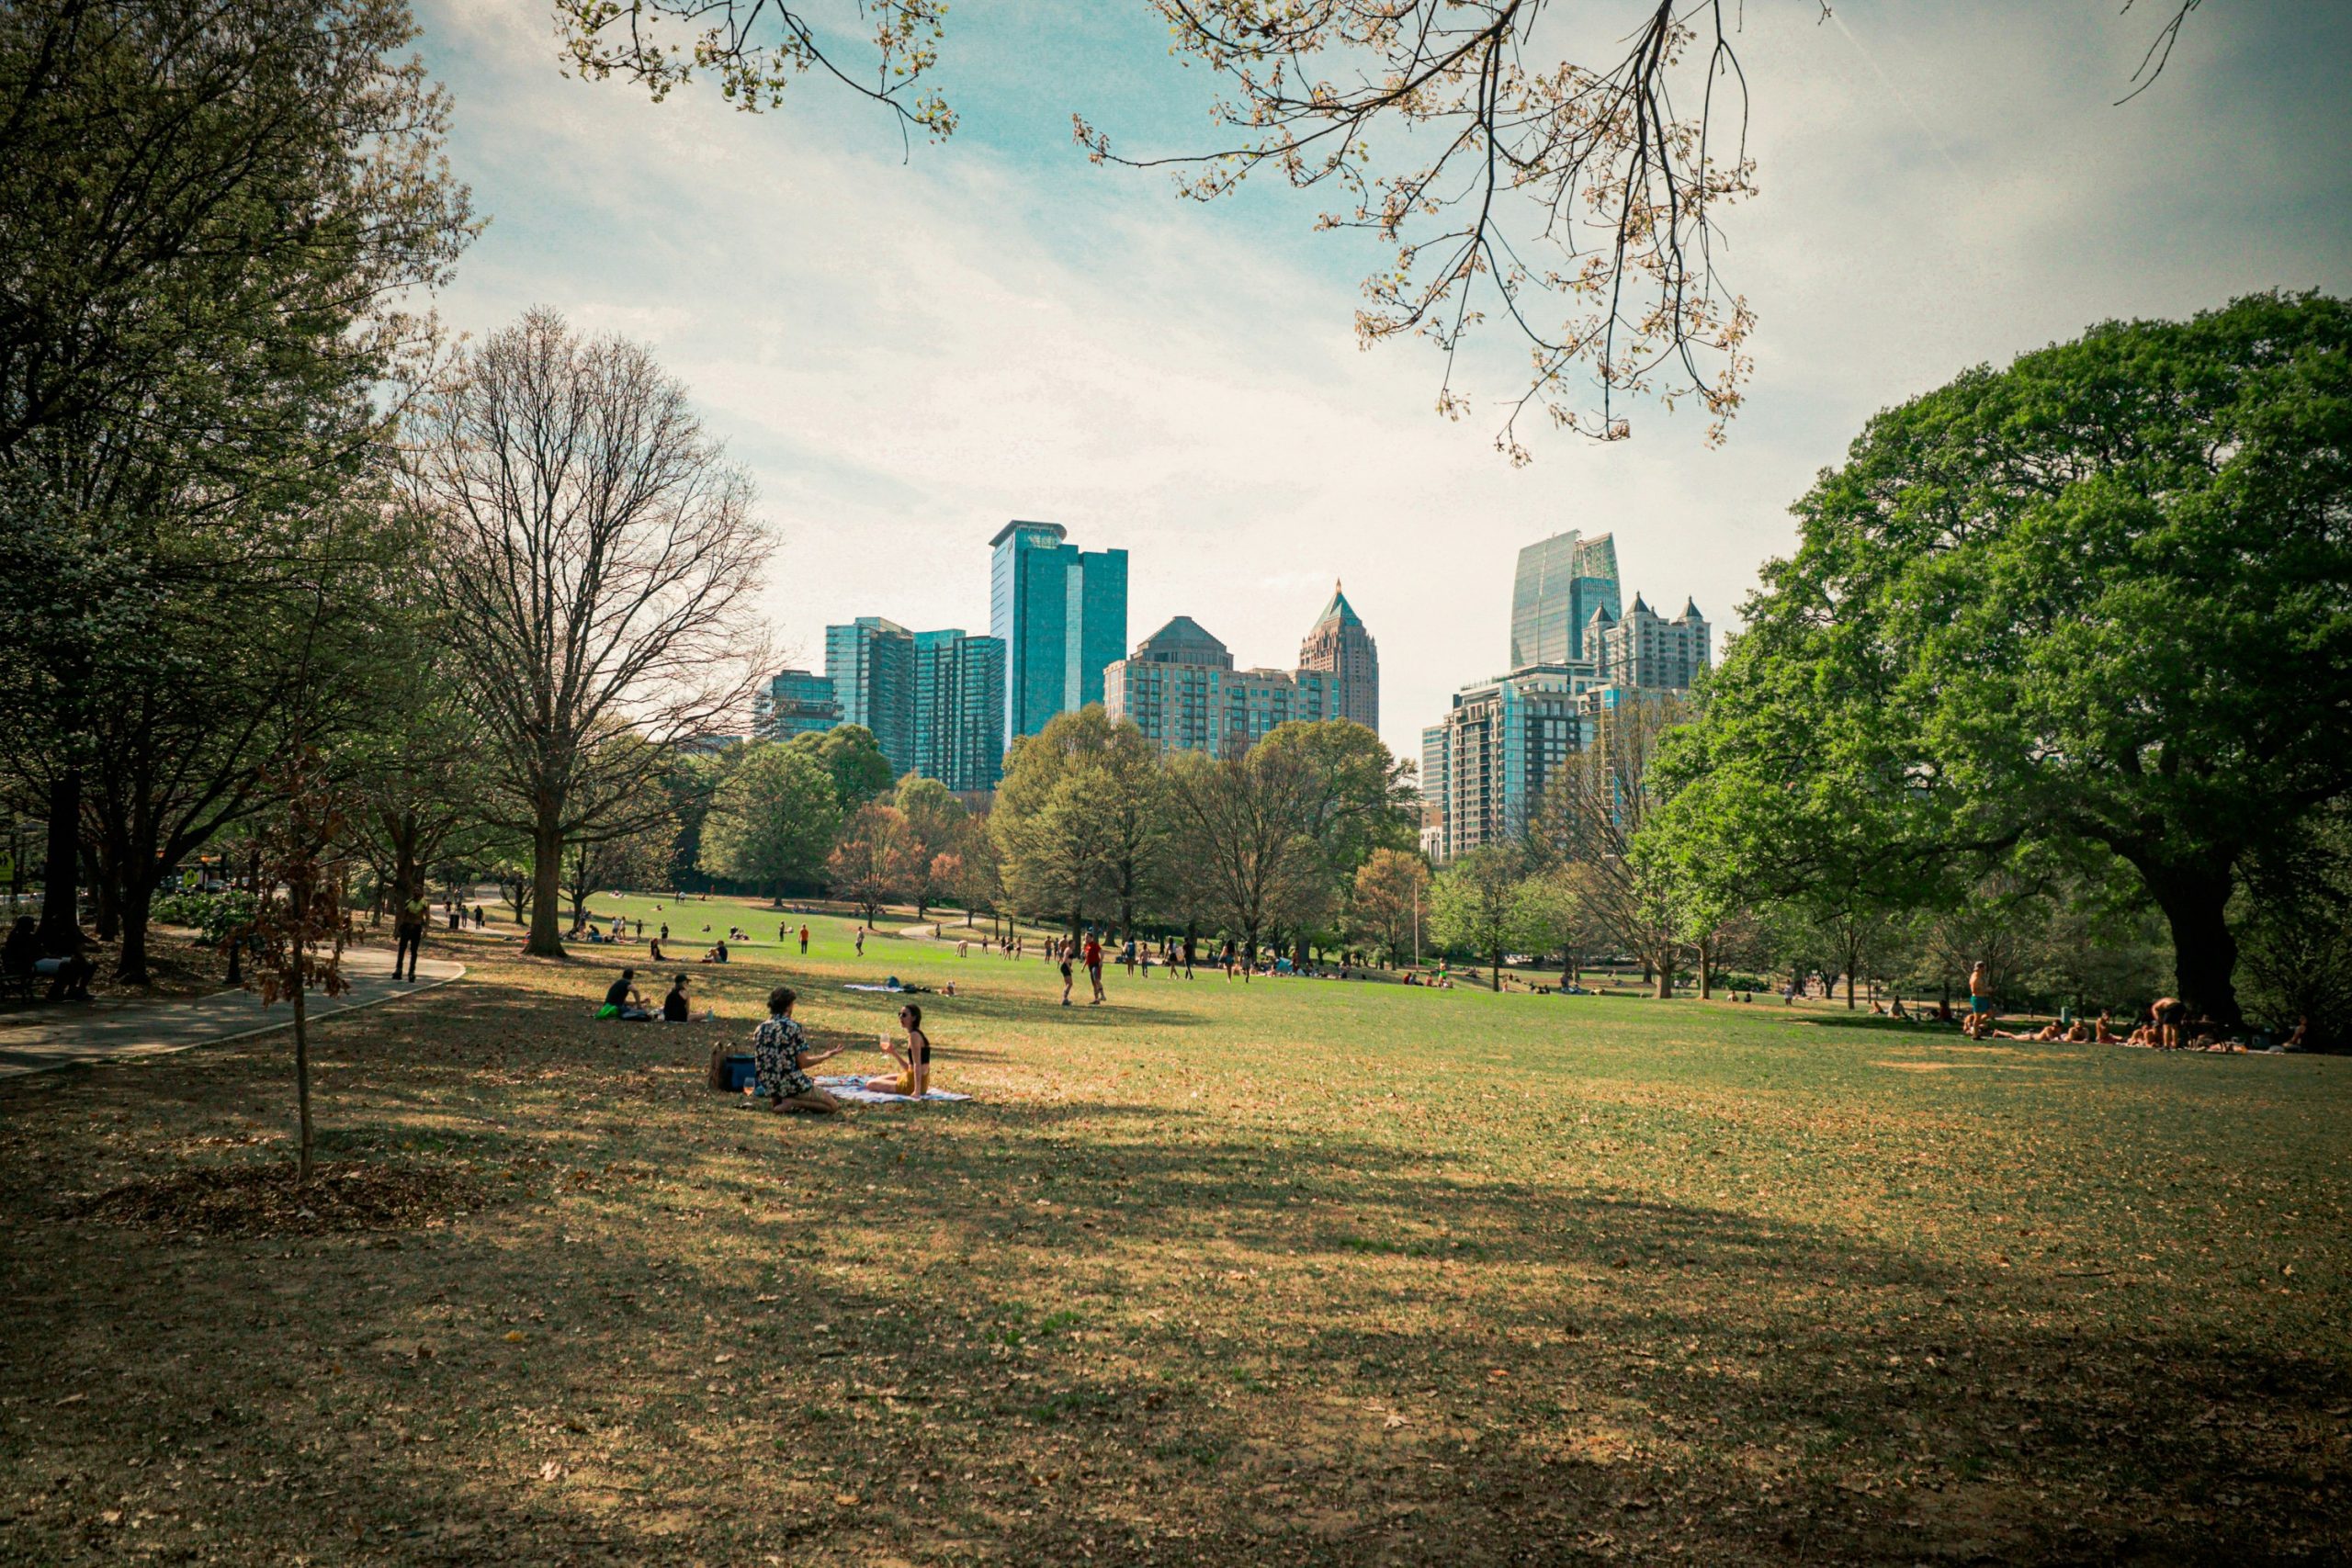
pixel 1062 617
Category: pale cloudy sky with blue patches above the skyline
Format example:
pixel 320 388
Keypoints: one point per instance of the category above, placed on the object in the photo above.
pixel 914 344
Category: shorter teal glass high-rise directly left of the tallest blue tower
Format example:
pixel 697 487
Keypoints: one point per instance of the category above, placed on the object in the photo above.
pixel 935 702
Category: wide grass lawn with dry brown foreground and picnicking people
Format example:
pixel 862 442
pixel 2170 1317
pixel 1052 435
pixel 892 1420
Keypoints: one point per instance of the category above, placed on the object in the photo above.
pixel 1292 1273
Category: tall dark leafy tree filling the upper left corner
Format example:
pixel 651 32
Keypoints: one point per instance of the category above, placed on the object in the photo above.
pixel 211 227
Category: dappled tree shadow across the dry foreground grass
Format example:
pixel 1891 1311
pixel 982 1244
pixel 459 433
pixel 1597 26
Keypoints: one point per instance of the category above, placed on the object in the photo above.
pixel 1093 1332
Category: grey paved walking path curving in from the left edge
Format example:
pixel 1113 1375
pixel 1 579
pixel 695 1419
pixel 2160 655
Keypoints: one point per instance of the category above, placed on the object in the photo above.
pixel 121 1031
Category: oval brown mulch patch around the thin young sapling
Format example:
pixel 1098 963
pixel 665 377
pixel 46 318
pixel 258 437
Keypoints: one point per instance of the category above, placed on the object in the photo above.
pixel 269 1202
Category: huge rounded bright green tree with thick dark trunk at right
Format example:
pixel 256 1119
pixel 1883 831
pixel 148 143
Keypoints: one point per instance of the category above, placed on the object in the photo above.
pixel 2097 601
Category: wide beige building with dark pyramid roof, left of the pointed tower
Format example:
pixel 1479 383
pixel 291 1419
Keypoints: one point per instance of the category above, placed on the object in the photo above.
pixel 1180 688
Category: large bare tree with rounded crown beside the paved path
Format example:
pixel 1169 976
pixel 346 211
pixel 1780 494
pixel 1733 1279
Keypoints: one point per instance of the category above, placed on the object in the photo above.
pixel 599 558
